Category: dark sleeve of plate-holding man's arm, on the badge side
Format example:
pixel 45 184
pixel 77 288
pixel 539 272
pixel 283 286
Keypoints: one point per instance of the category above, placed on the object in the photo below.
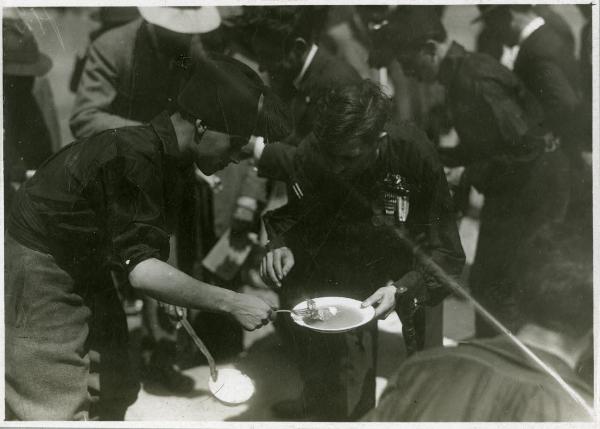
pixel 432 223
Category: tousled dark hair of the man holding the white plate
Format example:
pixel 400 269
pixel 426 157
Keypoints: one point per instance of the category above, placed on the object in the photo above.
pixel 353 111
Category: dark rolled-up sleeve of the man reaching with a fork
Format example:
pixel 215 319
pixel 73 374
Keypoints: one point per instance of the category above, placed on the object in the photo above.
pixel 135 210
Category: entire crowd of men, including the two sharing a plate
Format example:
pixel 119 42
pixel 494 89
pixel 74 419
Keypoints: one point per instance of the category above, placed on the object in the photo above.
pixel 170 107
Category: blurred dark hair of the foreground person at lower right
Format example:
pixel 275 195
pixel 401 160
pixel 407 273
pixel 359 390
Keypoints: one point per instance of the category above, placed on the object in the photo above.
pixel 554 286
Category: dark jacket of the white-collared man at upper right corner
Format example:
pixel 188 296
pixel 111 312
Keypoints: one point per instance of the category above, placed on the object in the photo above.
pixel 547 67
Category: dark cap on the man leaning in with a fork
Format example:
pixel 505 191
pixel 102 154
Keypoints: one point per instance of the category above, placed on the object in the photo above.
pixel 225 94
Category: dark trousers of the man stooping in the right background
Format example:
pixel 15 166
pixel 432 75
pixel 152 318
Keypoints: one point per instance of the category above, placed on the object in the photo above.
pixel 508 218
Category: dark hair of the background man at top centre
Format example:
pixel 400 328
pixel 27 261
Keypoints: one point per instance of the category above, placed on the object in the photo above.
pixel 283 23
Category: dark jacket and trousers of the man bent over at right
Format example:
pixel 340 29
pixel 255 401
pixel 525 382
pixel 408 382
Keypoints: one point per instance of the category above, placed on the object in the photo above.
pixel 508 157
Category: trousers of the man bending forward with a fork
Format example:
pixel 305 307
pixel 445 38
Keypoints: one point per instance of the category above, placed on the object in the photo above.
pixel 66 342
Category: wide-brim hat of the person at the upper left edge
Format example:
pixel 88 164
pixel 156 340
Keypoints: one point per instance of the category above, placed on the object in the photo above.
pixel 21 54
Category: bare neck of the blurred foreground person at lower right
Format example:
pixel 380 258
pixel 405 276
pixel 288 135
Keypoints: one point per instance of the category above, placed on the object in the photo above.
pixel 565 347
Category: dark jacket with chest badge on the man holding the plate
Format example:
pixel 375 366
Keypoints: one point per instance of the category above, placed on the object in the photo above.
pixel 336 231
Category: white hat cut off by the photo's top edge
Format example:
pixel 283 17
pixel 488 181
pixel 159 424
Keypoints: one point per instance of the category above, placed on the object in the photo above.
pixel 188 20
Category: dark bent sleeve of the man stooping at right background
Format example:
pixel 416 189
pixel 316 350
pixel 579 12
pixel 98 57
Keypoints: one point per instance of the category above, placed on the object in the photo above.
pixel 514 151
